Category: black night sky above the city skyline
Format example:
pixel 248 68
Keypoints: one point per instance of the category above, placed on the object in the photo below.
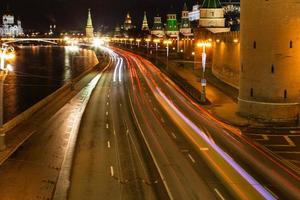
pixel 72 14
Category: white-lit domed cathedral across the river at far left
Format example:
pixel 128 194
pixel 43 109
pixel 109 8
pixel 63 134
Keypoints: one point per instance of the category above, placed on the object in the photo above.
pixel 9 28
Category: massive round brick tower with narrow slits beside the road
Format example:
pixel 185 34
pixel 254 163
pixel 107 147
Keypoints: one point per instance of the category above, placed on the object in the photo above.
pixel 270 62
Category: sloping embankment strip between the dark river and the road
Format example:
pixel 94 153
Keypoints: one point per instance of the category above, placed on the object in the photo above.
pixel 24 125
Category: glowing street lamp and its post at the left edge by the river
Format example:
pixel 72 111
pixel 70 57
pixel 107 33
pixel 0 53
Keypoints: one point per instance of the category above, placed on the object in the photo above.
pixel 6 53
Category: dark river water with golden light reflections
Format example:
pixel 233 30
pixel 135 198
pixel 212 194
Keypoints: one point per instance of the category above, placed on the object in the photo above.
pixel 39 71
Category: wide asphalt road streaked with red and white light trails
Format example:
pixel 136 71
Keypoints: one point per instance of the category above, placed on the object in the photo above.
pixel 141 137
